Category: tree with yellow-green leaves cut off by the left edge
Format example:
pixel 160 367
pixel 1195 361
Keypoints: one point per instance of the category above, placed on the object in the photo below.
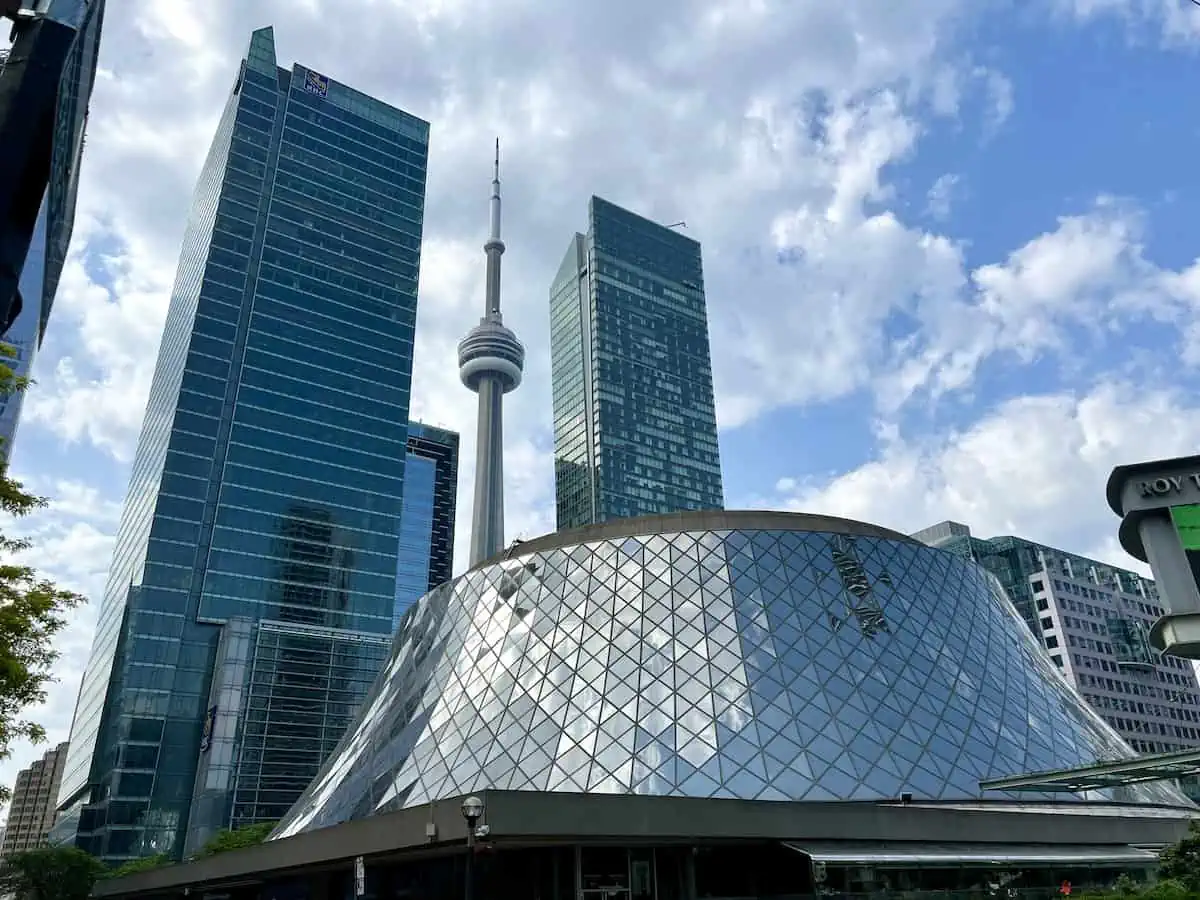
pixel 33 610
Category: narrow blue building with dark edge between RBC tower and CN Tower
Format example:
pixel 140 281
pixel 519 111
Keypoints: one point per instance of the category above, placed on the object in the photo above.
pixel 428 515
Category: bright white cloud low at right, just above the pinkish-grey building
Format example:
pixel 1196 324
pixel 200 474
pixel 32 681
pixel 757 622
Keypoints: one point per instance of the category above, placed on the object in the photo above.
pixel 1036 467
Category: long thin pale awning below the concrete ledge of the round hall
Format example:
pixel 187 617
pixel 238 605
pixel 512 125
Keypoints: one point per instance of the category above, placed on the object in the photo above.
pixel 913 854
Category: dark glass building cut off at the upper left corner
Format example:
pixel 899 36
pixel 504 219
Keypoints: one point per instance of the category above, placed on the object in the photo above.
pixel 46 87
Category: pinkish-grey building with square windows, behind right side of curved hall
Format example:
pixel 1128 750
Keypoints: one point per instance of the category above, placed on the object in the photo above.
pixel 1094 620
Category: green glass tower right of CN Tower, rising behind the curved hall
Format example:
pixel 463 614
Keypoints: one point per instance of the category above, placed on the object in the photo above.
pixel 635 423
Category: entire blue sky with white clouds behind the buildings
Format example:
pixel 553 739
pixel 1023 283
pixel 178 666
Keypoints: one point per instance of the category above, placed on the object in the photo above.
pixel 949 244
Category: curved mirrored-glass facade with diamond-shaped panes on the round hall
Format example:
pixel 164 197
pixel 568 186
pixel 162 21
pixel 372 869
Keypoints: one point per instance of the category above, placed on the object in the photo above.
pixel 753 656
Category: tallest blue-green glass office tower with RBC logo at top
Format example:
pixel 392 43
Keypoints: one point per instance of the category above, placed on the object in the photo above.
pixel 260 535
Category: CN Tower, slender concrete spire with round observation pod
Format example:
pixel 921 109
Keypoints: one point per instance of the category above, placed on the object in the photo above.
pixel 490 363
